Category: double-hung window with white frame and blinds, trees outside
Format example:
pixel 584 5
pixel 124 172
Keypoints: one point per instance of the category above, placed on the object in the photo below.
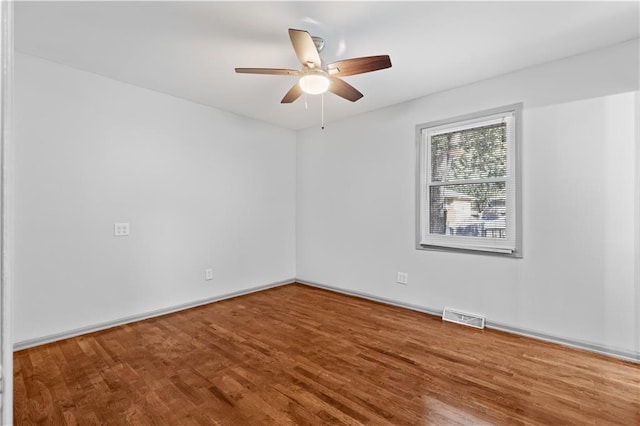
pixel 468 194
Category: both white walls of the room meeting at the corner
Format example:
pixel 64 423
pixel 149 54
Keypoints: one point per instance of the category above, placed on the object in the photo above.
pixel 204 188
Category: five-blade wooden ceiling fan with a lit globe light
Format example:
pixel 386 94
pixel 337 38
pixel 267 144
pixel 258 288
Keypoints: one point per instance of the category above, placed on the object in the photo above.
pixel 314 77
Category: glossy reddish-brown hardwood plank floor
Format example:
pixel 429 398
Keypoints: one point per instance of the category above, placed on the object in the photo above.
pixel 299 355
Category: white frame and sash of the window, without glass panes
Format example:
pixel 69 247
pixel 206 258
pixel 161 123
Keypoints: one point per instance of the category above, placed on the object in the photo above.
pixel 512 244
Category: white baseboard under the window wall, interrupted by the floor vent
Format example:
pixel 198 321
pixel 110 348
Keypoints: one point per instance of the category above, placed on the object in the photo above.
pixel 587 346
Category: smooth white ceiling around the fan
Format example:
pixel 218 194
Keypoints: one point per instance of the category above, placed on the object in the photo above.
pixel 190 49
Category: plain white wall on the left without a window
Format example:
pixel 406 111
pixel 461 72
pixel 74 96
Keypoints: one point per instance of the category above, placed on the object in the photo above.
pixel 200 187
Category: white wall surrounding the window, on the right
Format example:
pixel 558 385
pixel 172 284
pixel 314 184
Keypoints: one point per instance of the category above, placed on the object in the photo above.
pixel 356 204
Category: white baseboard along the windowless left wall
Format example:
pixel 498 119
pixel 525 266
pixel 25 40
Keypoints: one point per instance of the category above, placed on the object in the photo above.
pixel 17 346
